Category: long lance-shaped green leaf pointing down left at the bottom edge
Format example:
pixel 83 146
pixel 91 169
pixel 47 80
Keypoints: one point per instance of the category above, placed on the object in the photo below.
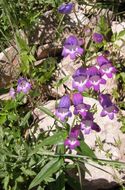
pixel 50 168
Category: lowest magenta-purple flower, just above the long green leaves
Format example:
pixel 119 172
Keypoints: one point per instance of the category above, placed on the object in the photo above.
pixel 72 141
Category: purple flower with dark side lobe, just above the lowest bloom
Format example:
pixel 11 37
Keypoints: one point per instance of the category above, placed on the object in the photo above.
pixel 87 124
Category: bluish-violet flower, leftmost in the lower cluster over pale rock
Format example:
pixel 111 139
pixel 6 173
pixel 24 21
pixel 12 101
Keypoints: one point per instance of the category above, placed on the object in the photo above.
pixel 62 110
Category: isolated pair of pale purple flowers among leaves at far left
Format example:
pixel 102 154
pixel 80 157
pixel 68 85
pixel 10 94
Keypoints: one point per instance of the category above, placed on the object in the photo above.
pixel 23 86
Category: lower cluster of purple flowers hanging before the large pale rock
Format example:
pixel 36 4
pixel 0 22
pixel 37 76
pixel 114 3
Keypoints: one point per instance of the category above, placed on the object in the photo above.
pixel 80 109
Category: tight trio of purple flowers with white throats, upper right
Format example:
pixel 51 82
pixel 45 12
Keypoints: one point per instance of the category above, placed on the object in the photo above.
pixel 93 77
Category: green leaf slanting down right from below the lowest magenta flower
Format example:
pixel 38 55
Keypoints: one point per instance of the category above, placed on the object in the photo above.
pixel 85 150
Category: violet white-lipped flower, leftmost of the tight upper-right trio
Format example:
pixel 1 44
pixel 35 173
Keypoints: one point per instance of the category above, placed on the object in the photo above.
pixel 80 79
